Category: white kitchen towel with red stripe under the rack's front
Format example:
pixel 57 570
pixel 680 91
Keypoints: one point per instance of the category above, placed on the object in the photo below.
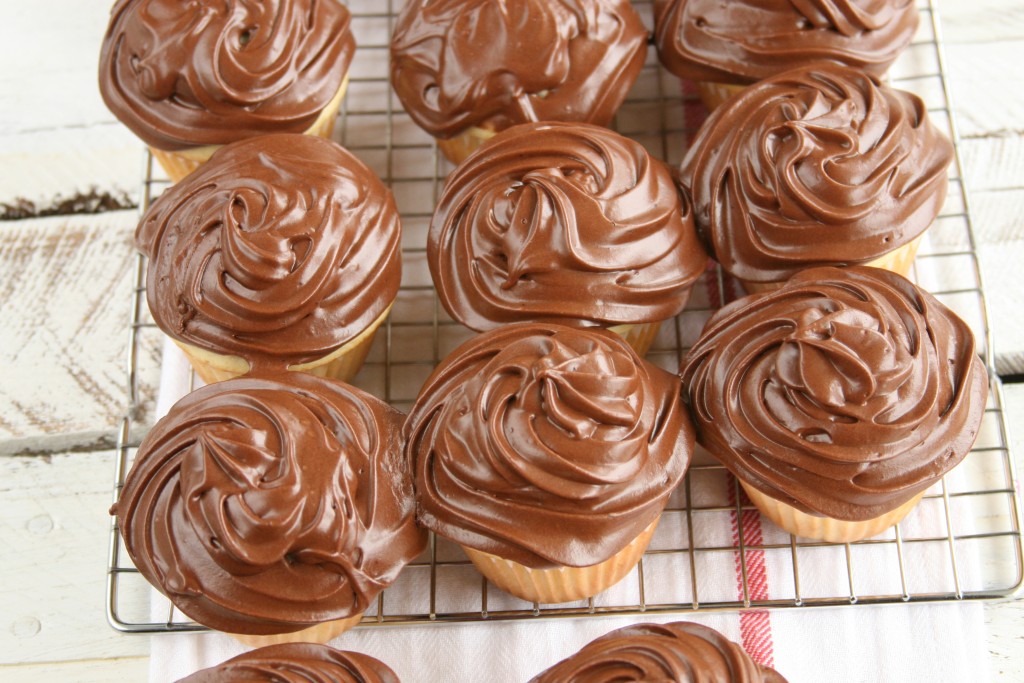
pixel 878 644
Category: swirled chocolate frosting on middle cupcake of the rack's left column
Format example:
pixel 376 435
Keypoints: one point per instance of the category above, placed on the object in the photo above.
pixel 279 250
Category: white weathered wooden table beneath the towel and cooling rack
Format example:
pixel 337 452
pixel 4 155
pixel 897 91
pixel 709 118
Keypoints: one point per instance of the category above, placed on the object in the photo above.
pixel 65 282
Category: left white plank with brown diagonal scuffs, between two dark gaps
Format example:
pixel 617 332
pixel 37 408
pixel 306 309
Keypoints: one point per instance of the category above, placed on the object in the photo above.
pixel 65 284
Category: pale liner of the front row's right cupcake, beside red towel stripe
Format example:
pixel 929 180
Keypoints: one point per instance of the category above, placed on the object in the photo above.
pixel 826 529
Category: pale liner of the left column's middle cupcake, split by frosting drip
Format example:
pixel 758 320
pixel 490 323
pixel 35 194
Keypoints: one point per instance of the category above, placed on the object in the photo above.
pixel 343 364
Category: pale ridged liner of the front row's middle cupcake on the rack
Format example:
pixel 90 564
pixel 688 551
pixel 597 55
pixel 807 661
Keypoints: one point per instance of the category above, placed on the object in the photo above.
pixel 563 584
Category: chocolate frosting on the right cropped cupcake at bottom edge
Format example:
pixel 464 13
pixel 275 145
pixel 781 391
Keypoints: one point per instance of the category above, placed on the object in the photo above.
pixel 678 653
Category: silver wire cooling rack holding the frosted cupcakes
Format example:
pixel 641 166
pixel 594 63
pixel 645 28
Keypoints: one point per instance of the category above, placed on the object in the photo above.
pixel 712 551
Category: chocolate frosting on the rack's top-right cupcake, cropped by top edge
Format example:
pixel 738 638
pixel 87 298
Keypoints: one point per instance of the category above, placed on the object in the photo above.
pixel 744 41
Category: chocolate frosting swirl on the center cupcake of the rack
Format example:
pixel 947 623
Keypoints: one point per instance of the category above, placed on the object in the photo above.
pixel 563 222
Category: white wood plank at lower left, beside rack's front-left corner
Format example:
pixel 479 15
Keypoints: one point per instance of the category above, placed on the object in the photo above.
pixel 54 513
